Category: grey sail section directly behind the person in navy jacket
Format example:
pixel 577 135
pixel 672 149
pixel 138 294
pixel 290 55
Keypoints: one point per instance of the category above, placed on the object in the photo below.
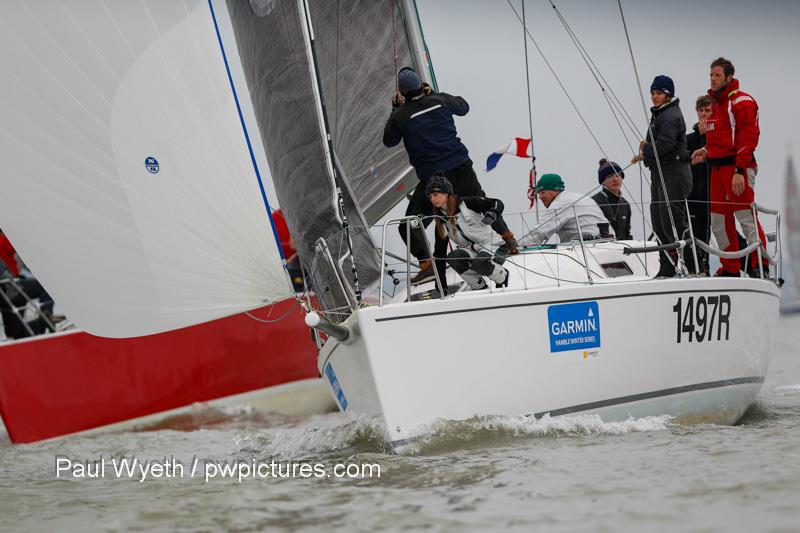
pixel 361 45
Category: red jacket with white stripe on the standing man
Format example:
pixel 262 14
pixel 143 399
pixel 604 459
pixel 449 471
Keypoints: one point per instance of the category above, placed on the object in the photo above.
pixel 732 130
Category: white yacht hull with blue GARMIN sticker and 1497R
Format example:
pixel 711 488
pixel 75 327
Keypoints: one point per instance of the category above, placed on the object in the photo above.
pixel 482 353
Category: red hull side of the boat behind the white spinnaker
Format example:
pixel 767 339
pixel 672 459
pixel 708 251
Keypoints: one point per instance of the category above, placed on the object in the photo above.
pixel 62 383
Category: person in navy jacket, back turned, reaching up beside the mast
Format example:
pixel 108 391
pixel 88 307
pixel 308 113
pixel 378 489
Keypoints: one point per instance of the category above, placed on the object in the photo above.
pixel 423 120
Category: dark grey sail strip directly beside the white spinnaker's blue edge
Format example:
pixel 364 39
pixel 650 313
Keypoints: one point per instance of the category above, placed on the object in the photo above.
pixel 280 77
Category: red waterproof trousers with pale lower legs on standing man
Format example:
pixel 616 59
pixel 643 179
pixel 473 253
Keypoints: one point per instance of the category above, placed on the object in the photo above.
pixel 727 208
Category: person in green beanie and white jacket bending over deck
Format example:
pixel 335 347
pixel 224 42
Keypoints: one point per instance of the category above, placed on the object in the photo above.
pixel 564 211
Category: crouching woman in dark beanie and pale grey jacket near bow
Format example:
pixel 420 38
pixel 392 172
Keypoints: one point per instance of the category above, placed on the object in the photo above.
pixel 468 223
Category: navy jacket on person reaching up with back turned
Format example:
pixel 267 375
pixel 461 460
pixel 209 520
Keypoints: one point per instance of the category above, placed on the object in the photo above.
pixel 425 125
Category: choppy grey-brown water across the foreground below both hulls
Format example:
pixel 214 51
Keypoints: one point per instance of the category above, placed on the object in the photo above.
pixel 576 474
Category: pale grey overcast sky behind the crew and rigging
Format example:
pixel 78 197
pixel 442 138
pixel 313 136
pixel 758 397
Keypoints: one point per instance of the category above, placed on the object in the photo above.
pixel 477 52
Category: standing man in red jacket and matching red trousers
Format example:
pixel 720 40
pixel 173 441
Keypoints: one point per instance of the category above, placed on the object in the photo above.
pixel 731 138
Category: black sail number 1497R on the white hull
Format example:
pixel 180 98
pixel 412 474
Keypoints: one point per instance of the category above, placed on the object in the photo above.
pixel 704 318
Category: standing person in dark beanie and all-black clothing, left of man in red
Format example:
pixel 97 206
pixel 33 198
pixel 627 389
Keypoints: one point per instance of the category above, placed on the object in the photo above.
pixel 667 137
